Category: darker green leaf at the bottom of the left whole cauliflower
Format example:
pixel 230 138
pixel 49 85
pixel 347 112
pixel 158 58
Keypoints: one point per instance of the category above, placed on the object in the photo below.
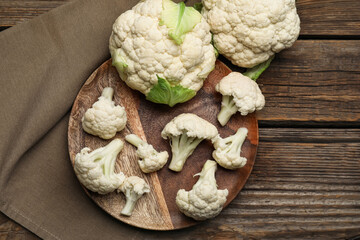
pixel 164 93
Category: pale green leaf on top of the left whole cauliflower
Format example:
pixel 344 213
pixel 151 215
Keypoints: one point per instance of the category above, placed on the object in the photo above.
pixel 179 19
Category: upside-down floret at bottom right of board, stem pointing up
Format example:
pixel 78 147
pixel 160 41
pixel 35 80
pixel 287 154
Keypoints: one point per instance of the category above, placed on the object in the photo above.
pixel 204 200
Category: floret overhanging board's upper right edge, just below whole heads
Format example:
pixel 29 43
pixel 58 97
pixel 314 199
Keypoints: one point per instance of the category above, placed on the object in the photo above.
pixel 240 93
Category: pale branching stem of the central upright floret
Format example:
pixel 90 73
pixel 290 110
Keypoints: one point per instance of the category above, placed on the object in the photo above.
pixel 182 147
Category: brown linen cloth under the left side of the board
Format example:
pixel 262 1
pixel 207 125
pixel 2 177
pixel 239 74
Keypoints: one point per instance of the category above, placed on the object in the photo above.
pixel 43 64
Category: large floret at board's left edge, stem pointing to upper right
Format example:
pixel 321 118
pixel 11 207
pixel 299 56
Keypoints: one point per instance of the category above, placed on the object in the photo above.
pixel 95 170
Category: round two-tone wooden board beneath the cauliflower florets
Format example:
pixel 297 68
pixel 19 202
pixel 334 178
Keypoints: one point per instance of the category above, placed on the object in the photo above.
pixel 157 210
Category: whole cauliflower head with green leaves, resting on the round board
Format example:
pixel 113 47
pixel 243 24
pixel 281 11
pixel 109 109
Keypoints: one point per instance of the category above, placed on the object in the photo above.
pixel 148 50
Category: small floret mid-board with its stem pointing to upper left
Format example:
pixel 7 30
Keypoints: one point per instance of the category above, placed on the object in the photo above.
pixel 150 159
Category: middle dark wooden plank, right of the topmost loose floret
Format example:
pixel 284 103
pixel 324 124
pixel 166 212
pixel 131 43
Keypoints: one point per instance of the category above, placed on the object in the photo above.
pixel 315 81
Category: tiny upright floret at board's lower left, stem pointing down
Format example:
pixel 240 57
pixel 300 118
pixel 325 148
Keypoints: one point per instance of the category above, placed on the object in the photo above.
pixel 133 188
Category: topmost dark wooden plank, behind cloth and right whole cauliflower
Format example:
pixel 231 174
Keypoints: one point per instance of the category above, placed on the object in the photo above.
pixel 327 17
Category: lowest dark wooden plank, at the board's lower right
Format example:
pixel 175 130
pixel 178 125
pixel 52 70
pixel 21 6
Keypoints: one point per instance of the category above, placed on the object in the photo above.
pixel 305 185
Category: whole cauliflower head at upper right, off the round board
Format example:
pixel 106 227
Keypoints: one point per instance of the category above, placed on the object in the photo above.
pixel 248 32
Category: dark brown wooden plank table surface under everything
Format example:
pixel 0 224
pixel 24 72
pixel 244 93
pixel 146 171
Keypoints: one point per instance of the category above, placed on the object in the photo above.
pixel 306 179
